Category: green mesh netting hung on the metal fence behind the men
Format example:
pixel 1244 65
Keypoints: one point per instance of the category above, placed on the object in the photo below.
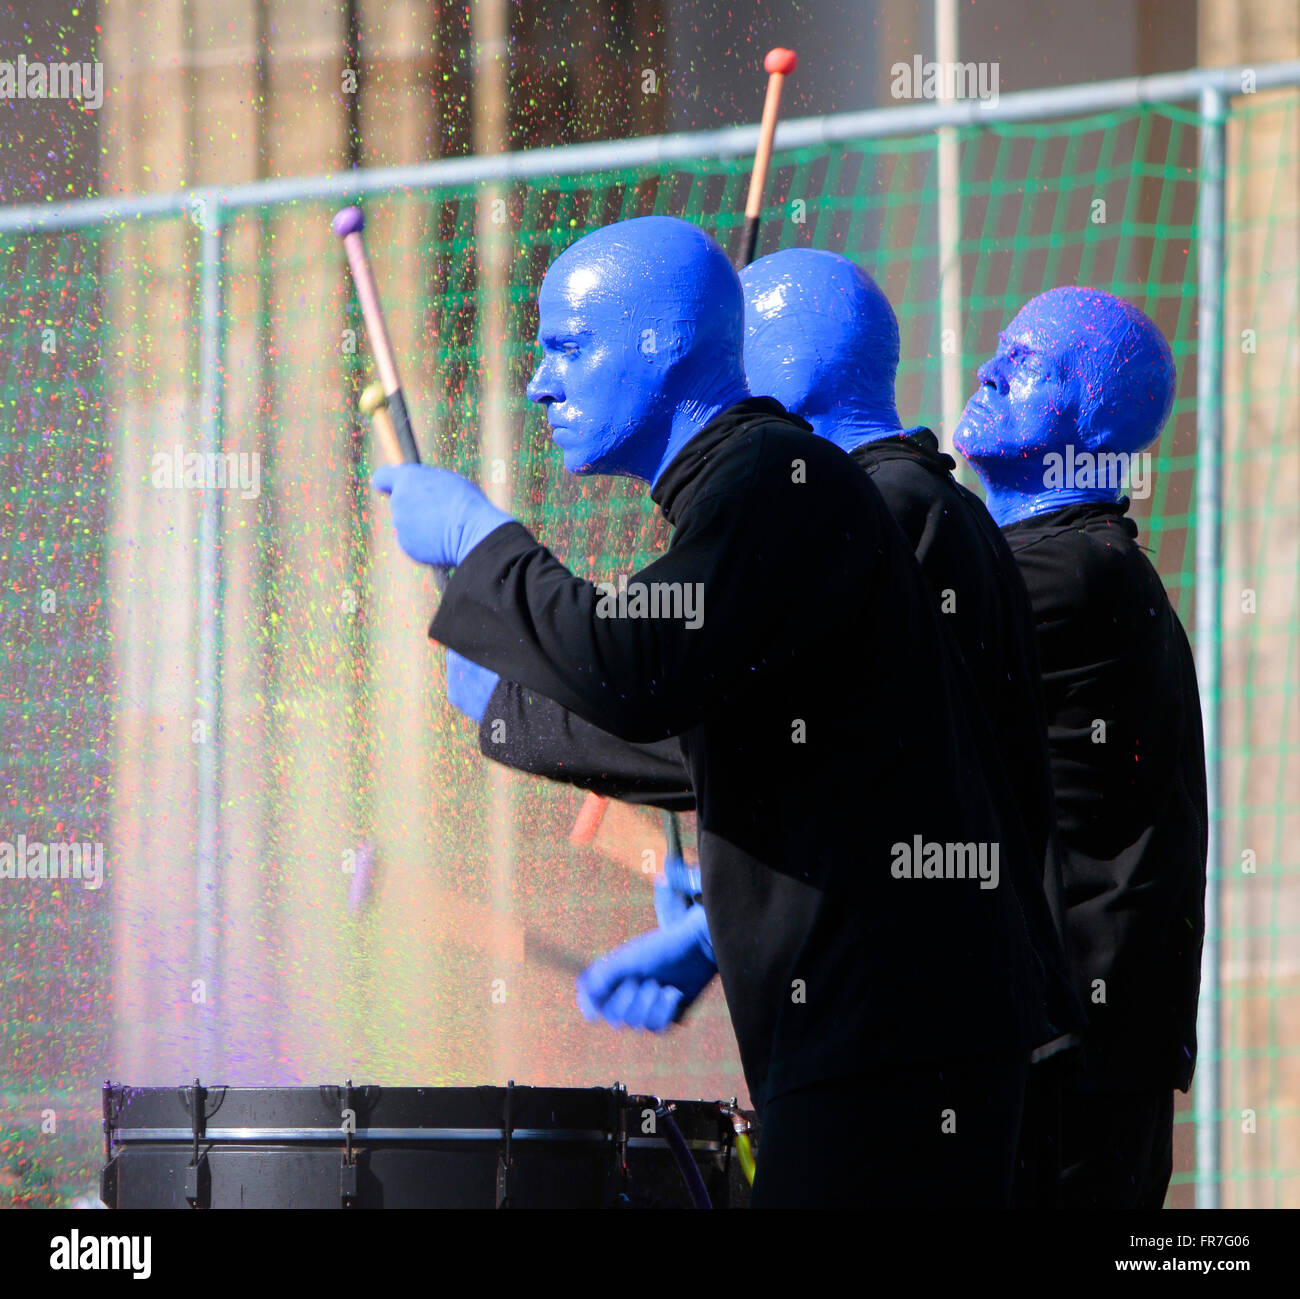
pixel 337 739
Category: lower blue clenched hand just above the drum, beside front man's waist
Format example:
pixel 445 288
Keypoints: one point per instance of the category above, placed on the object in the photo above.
pixel 649 982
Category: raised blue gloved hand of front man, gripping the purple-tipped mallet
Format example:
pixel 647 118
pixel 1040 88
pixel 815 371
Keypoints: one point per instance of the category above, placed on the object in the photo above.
pixel 437 516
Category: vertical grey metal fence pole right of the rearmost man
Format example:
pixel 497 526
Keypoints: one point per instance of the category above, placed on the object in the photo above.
pixel 1210 626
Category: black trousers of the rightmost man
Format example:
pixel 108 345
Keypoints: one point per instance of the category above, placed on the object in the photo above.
pixel 1117 1149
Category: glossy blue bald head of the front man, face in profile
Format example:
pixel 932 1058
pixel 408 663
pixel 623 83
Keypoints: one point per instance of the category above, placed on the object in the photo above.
pixel 640 326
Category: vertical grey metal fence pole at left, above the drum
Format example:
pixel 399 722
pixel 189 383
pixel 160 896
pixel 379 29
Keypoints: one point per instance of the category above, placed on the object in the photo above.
pixel 209 216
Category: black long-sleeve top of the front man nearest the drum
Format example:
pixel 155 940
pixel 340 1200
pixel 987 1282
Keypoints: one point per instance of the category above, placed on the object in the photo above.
pixel 825 722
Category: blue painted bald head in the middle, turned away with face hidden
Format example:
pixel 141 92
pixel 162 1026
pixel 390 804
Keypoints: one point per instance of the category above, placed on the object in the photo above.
pixel 822 339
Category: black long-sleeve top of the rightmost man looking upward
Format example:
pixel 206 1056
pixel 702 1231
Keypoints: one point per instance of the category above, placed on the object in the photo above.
pixel 1129 770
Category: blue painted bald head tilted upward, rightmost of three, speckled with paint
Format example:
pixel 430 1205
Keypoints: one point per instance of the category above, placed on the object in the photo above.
pixel 1082 382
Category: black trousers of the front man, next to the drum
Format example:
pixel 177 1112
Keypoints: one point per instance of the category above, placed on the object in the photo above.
pixel 922 1137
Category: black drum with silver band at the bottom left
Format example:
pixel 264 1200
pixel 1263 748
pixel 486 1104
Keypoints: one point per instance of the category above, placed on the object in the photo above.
pixel 417 1149
